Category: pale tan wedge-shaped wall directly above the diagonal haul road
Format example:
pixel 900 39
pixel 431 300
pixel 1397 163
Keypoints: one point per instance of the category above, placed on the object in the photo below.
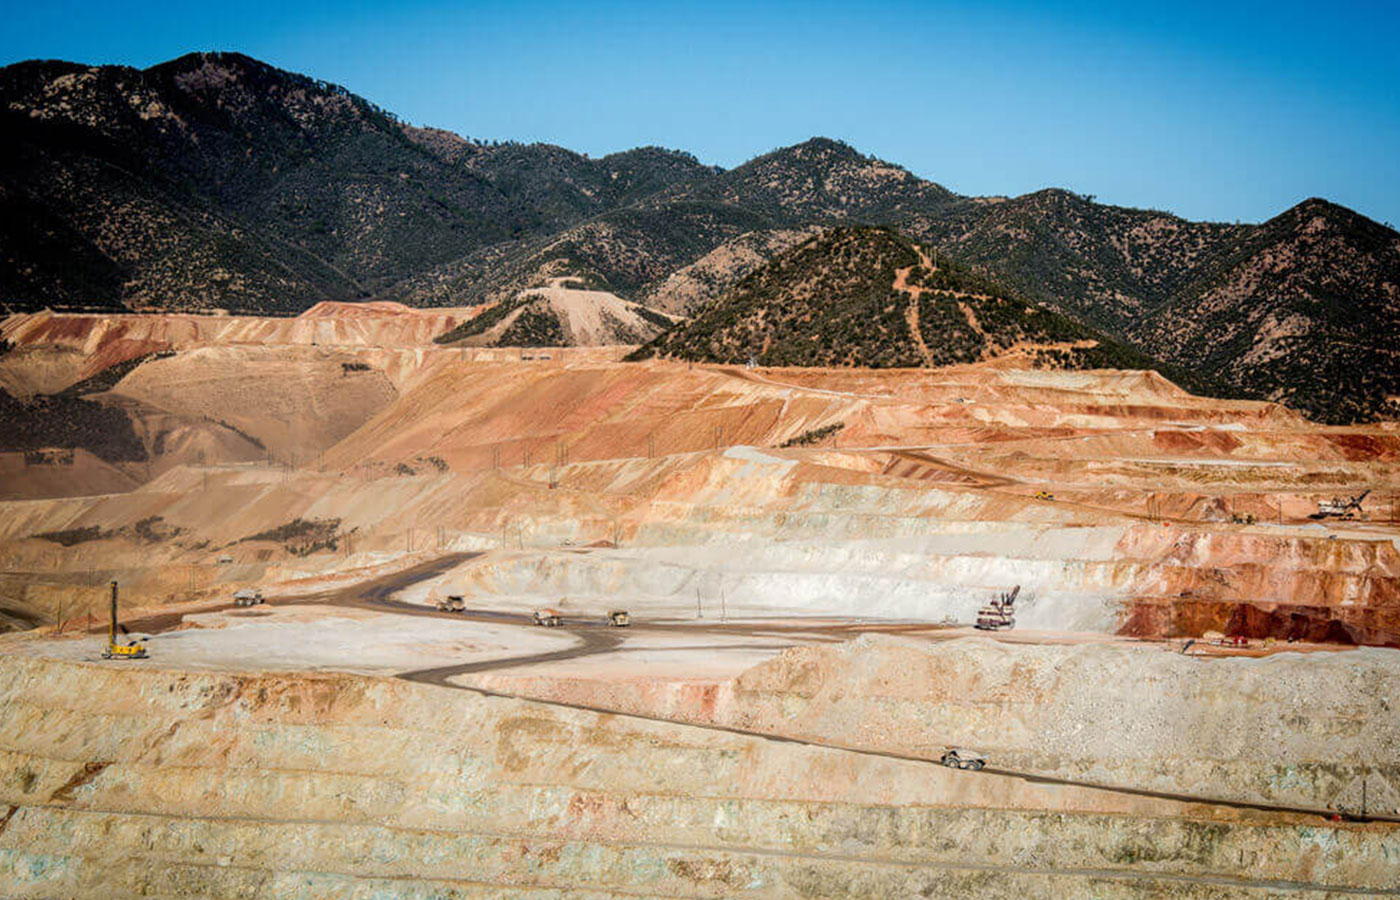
pixel 1287 730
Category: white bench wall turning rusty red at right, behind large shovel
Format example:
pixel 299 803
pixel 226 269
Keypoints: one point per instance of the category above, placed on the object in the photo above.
pixel 1074 579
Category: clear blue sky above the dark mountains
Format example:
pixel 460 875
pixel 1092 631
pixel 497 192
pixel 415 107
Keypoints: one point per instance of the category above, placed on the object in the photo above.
pixel 1224 111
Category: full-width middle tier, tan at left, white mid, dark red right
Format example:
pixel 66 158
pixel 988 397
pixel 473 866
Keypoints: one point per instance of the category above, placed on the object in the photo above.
pixel 855 549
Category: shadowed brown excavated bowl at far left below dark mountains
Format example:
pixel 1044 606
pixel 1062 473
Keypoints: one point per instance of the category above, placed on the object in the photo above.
pixel 281 388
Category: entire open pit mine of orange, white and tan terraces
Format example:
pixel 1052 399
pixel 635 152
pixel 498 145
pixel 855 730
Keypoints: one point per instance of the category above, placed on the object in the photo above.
pixel 318 608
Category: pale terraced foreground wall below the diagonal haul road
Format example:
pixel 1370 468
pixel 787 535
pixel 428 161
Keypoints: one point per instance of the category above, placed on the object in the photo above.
pixel 124 782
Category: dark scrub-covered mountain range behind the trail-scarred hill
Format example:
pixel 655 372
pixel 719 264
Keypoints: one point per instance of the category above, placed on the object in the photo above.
pixel 219 183
